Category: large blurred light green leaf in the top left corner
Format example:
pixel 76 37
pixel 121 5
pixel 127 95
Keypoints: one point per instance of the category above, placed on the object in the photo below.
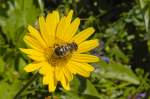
pixel 20 14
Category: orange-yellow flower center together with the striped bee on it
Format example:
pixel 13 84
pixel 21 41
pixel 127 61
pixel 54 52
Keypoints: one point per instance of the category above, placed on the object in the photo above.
pixel 61 52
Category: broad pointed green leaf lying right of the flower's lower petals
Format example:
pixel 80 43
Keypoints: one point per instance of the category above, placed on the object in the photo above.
pixel 118 71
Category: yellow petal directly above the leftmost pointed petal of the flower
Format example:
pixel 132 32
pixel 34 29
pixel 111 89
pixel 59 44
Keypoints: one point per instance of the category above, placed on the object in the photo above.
pixel 32 42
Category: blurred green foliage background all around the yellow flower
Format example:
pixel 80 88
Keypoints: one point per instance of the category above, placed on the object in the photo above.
pixel 122 27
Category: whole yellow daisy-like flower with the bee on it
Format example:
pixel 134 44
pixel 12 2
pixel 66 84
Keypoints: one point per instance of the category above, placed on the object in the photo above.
pixel 69 59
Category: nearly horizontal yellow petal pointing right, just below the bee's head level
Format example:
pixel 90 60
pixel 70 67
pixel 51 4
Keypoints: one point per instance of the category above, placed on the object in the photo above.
pixel 85 58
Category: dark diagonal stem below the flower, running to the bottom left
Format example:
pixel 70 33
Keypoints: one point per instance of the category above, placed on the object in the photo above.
pixel 26 85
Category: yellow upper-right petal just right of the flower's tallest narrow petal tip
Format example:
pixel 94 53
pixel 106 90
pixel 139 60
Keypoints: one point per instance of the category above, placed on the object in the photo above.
pixel 71 30
